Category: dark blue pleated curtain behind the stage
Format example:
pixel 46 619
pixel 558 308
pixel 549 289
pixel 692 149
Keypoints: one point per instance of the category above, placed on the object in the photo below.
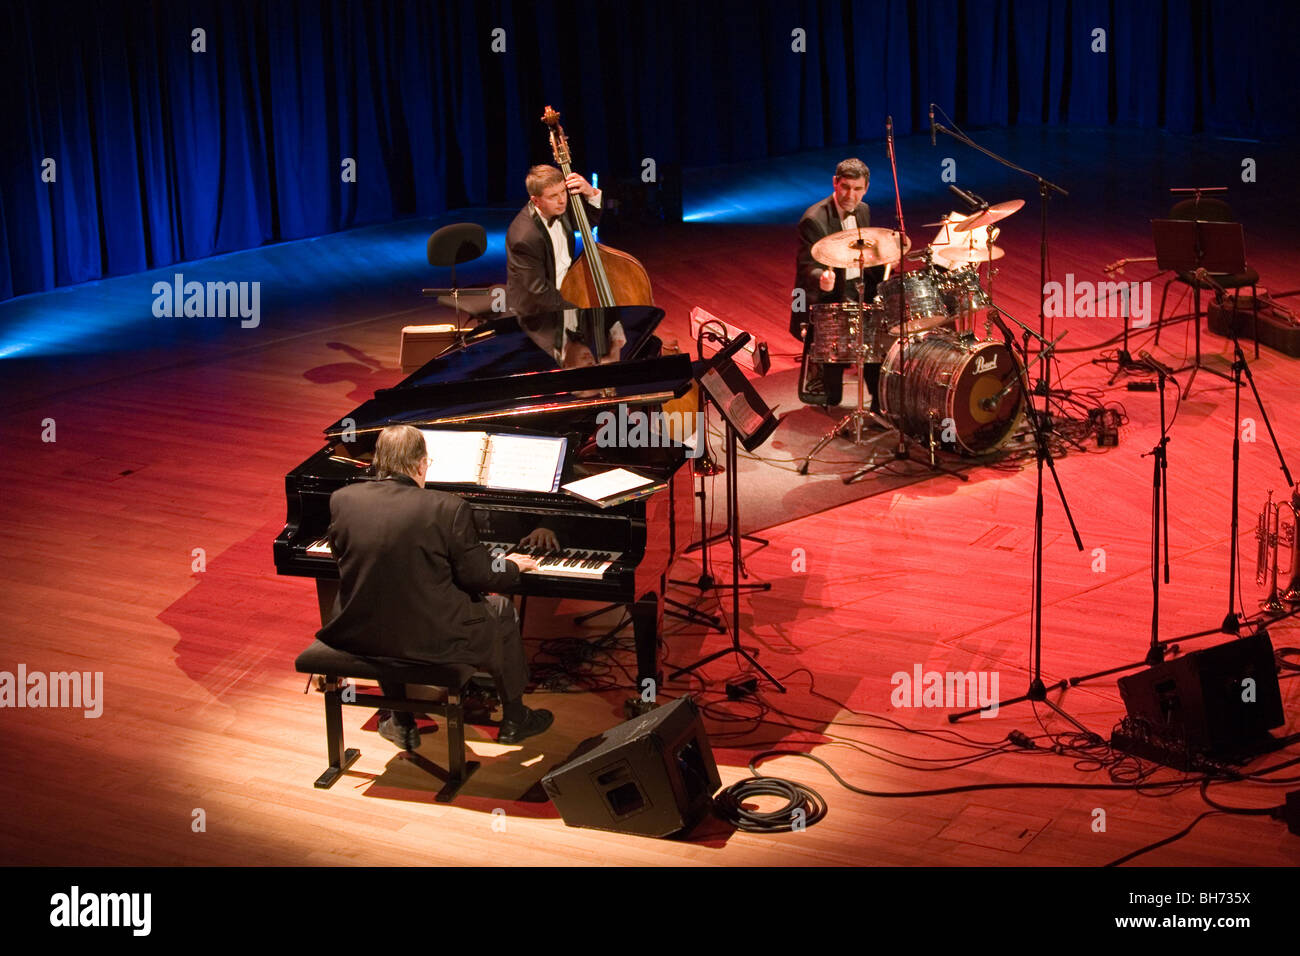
pixel 166 155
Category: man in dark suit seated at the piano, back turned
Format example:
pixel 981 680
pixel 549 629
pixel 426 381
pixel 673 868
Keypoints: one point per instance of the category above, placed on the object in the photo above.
pixel 414 582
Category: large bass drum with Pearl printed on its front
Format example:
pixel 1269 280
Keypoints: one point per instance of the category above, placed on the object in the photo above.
pixel 948 382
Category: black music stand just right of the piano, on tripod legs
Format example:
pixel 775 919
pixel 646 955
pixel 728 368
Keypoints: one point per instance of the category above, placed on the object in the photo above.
pixel 749 422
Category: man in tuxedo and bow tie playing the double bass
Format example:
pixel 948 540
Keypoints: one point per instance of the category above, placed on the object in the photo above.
pixel 540 243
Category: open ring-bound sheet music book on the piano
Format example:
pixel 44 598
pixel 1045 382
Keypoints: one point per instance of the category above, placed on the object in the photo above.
pixel 499 461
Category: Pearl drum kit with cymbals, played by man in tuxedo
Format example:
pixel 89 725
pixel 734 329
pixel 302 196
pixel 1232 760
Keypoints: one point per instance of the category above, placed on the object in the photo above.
pixel 942 384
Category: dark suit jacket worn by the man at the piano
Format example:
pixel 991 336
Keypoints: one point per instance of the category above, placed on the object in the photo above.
pixel 413 574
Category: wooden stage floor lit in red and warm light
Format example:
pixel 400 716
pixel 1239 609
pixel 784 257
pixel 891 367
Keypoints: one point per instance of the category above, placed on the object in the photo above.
pixel 99 569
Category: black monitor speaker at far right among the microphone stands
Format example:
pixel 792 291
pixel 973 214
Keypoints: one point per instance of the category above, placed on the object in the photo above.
pixel 1202 699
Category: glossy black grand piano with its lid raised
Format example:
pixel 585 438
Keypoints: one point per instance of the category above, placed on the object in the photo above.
pixel 549 375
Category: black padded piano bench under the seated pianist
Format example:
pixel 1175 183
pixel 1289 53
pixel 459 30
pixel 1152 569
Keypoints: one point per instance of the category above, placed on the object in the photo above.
pixel 335 667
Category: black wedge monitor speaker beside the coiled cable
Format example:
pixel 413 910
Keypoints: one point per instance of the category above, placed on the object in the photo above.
pixel 653 776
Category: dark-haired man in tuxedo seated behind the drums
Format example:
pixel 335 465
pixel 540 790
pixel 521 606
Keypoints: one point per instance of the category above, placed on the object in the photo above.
pixel 824 383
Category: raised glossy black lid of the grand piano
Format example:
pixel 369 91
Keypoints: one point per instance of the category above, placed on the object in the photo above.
pixel 514 367
